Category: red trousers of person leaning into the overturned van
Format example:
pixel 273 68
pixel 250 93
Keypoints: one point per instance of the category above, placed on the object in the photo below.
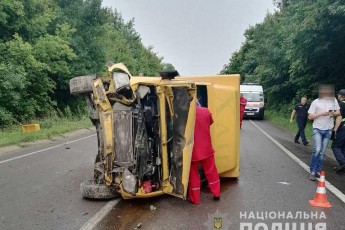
pixel 212 177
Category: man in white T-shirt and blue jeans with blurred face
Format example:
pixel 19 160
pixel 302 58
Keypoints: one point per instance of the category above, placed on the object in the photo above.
pixel 322 111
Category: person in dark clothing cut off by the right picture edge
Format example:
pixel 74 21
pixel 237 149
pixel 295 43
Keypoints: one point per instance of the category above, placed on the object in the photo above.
pixel 338 145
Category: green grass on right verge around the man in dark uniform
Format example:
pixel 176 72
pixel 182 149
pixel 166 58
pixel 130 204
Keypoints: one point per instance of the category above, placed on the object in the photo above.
pixel 283 120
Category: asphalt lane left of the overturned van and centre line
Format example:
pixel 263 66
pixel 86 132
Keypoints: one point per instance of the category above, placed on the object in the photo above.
pixel 41 190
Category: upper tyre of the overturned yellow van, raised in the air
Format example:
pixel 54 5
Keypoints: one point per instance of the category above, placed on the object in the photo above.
pixel 81 85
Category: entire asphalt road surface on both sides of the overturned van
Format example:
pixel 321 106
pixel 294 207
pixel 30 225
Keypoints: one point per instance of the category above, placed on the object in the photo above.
pixel 41 191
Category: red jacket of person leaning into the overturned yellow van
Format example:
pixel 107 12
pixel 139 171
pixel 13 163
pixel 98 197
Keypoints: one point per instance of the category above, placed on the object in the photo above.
pixel 202 137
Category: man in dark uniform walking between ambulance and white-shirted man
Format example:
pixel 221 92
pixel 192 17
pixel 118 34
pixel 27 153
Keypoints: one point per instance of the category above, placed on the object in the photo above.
pixel 301 119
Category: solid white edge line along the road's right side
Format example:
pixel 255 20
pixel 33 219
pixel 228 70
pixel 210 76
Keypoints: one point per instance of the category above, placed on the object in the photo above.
pixel 330 187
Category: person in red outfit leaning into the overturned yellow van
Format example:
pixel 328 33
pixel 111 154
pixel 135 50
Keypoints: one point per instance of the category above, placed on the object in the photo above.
pixel 203 154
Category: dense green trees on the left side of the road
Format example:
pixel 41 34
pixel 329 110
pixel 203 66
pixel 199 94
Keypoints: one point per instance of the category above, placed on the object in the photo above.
pixel 44 43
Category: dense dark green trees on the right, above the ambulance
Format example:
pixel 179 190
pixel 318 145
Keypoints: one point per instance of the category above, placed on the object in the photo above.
pixel 294 49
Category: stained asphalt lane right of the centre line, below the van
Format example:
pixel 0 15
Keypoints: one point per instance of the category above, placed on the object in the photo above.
pixel 270 181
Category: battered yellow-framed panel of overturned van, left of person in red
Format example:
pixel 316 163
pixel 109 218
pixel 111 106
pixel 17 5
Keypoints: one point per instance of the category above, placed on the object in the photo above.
pixel 178 118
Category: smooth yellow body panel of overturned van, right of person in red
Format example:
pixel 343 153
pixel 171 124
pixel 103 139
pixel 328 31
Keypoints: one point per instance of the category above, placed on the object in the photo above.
pixel 223 102
